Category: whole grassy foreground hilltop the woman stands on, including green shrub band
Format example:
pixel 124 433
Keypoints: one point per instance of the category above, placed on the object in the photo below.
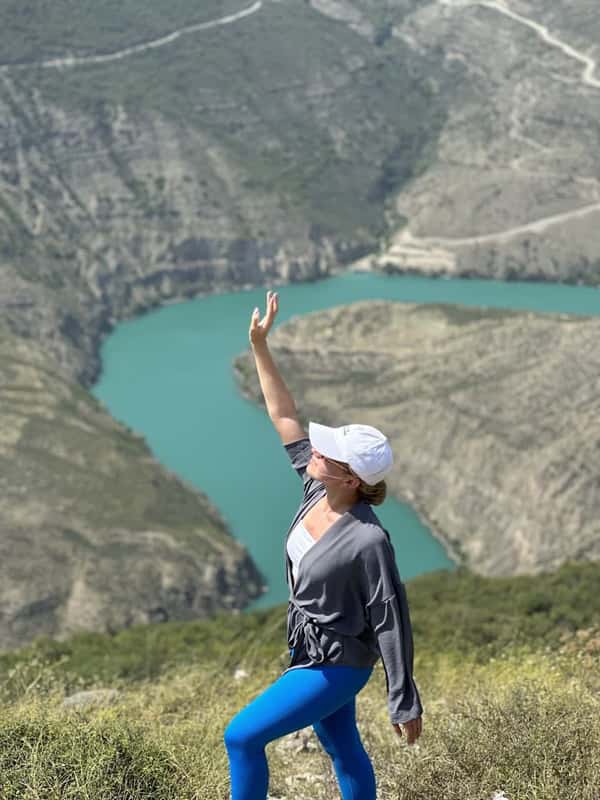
pixel 507 669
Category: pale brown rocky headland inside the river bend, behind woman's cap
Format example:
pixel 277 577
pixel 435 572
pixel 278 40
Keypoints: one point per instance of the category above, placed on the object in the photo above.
pixel 492 417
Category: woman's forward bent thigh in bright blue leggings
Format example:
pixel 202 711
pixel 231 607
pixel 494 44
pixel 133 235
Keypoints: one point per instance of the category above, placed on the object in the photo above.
pixel 297 699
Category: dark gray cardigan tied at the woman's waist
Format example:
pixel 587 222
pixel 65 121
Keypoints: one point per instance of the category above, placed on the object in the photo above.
pixel 349 605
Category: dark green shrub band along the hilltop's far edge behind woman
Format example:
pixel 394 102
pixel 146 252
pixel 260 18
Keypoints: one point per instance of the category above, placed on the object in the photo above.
pixel 452 613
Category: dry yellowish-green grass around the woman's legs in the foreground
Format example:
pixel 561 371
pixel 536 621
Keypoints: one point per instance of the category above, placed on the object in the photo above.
pixel 526 724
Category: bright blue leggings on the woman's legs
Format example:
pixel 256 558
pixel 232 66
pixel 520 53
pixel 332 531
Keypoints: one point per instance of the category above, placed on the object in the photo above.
pixel 324 697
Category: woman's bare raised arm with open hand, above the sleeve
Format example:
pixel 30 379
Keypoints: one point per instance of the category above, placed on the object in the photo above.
pixel 280 403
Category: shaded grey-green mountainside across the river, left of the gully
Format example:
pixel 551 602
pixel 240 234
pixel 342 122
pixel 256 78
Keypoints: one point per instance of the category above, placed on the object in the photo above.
pixel 138 170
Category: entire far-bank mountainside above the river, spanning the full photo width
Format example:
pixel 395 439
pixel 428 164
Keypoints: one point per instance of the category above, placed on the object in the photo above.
pixel 281 138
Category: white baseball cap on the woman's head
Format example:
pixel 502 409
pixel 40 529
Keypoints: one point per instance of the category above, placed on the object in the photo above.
pixel 365 449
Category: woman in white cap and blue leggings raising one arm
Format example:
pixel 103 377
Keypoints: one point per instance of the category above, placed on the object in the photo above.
pixel 347 604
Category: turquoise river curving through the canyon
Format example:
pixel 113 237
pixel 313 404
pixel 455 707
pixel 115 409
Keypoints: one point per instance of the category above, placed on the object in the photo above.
pixel 168 375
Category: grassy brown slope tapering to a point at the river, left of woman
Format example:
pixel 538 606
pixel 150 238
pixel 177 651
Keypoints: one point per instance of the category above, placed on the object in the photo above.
pixel 95 533
